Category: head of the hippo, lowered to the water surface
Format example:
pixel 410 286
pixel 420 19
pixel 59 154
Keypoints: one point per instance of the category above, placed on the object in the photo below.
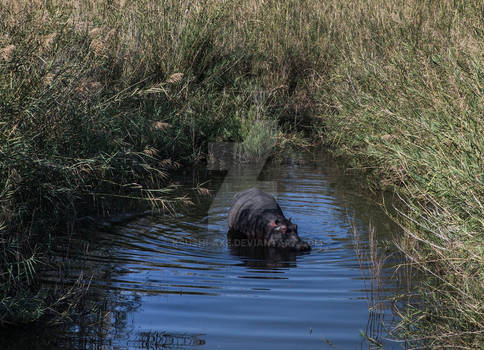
pixel 282 233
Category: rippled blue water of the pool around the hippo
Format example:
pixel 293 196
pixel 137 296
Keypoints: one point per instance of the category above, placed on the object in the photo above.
pixel 174 283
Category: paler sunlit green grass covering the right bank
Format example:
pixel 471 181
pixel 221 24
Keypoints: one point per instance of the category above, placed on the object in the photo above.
pixel 408 107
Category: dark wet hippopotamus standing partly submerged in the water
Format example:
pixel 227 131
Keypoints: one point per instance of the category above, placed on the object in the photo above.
pixel 255 215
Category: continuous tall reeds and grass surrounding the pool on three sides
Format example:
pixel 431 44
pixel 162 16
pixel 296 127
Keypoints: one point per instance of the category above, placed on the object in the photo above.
pixel 101 98
